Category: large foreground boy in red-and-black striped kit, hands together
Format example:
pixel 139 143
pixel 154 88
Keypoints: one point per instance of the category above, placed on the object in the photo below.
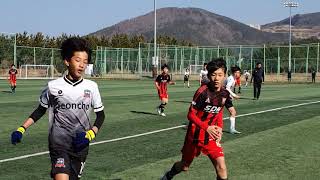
pixel 206 122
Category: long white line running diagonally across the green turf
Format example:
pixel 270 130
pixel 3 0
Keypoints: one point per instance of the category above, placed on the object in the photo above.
pixel 157 131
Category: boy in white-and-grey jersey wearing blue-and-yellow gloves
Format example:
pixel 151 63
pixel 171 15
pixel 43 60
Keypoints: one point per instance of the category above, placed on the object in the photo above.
pixel 69 100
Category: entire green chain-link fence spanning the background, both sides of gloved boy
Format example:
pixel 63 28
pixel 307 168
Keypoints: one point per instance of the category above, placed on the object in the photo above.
pixel 139 62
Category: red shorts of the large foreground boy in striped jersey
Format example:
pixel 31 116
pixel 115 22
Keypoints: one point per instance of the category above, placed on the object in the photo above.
pixel 190 150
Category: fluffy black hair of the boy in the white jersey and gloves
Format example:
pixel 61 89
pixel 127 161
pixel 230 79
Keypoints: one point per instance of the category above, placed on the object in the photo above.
pixel 72 45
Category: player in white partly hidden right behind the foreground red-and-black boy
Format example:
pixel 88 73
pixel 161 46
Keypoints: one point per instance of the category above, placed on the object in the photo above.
pixel 229 85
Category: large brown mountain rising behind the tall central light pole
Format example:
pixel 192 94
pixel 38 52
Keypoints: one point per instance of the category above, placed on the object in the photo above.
pixel 195 25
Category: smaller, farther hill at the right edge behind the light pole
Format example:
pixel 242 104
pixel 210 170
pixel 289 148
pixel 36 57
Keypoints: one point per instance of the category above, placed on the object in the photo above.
pixel 303 26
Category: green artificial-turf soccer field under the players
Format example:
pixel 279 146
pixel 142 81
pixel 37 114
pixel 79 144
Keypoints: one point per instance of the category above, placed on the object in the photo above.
pixel 279 140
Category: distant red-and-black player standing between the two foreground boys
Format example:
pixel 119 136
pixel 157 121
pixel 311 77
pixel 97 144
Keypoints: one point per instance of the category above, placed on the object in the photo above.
pixel 161 84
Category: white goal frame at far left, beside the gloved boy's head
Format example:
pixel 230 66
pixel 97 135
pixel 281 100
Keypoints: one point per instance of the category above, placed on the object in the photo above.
pixel 30 71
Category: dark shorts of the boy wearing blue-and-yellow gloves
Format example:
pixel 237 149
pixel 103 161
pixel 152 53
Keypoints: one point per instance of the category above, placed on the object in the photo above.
pixel 68 163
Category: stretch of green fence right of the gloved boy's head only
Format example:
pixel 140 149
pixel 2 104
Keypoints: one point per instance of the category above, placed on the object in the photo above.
pixel 274 59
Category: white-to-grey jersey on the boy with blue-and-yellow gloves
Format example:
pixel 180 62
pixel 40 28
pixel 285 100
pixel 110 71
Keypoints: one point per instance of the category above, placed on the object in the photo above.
pixel 69 104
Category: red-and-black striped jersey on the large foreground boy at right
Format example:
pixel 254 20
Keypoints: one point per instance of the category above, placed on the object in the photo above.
pixel 206 110
